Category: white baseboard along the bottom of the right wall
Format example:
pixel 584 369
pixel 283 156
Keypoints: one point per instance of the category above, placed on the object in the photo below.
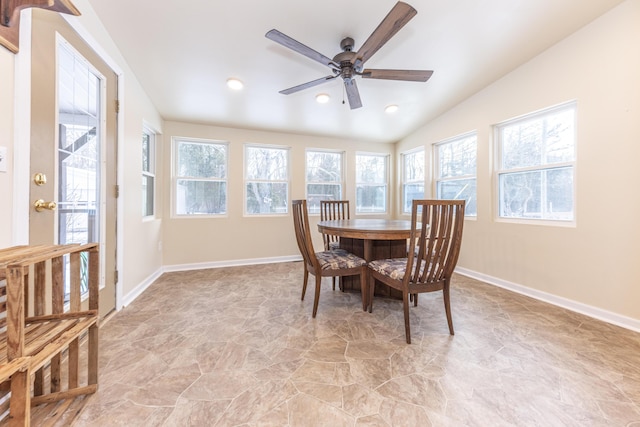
pixel 587 310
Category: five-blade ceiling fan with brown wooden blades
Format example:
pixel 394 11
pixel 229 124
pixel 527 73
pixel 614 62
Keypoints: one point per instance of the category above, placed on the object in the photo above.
pixel 349 64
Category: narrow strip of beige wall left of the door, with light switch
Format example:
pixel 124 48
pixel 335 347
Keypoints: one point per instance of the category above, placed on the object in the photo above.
pixel 6 140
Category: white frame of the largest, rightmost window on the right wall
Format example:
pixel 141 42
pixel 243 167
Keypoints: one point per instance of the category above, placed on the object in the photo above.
pixel 499 170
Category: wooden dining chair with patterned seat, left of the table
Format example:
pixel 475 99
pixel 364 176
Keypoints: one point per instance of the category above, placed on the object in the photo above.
pixel 331 263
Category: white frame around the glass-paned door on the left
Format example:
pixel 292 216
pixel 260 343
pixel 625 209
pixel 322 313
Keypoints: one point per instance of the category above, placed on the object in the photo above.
pixel 22 137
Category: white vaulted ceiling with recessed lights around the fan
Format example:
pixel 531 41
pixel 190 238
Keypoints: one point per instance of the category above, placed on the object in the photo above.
pixel 183 53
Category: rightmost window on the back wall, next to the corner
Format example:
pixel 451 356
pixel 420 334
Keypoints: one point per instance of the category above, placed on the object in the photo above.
pixel 371 183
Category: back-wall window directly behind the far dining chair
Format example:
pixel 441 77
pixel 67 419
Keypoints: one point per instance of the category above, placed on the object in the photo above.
pixel 324 177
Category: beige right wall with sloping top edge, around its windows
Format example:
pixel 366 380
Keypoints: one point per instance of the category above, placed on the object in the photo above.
pixel 595 262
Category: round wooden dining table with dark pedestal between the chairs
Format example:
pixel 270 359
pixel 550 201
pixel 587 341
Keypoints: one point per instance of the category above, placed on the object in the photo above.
pixel 370 239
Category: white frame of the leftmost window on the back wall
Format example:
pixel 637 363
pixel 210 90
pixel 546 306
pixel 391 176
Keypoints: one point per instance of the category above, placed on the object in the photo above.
pixel 175 177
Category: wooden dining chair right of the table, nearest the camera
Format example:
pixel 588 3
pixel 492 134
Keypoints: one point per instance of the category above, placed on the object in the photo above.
pixel 436 236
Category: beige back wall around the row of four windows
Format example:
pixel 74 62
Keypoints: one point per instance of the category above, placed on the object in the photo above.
pixel 235 236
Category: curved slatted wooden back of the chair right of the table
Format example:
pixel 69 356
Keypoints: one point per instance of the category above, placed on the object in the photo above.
pixel 437 232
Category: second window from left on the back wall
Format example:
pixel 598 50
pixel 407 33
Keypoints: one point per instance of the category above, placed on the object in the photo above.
pixel 266 171
